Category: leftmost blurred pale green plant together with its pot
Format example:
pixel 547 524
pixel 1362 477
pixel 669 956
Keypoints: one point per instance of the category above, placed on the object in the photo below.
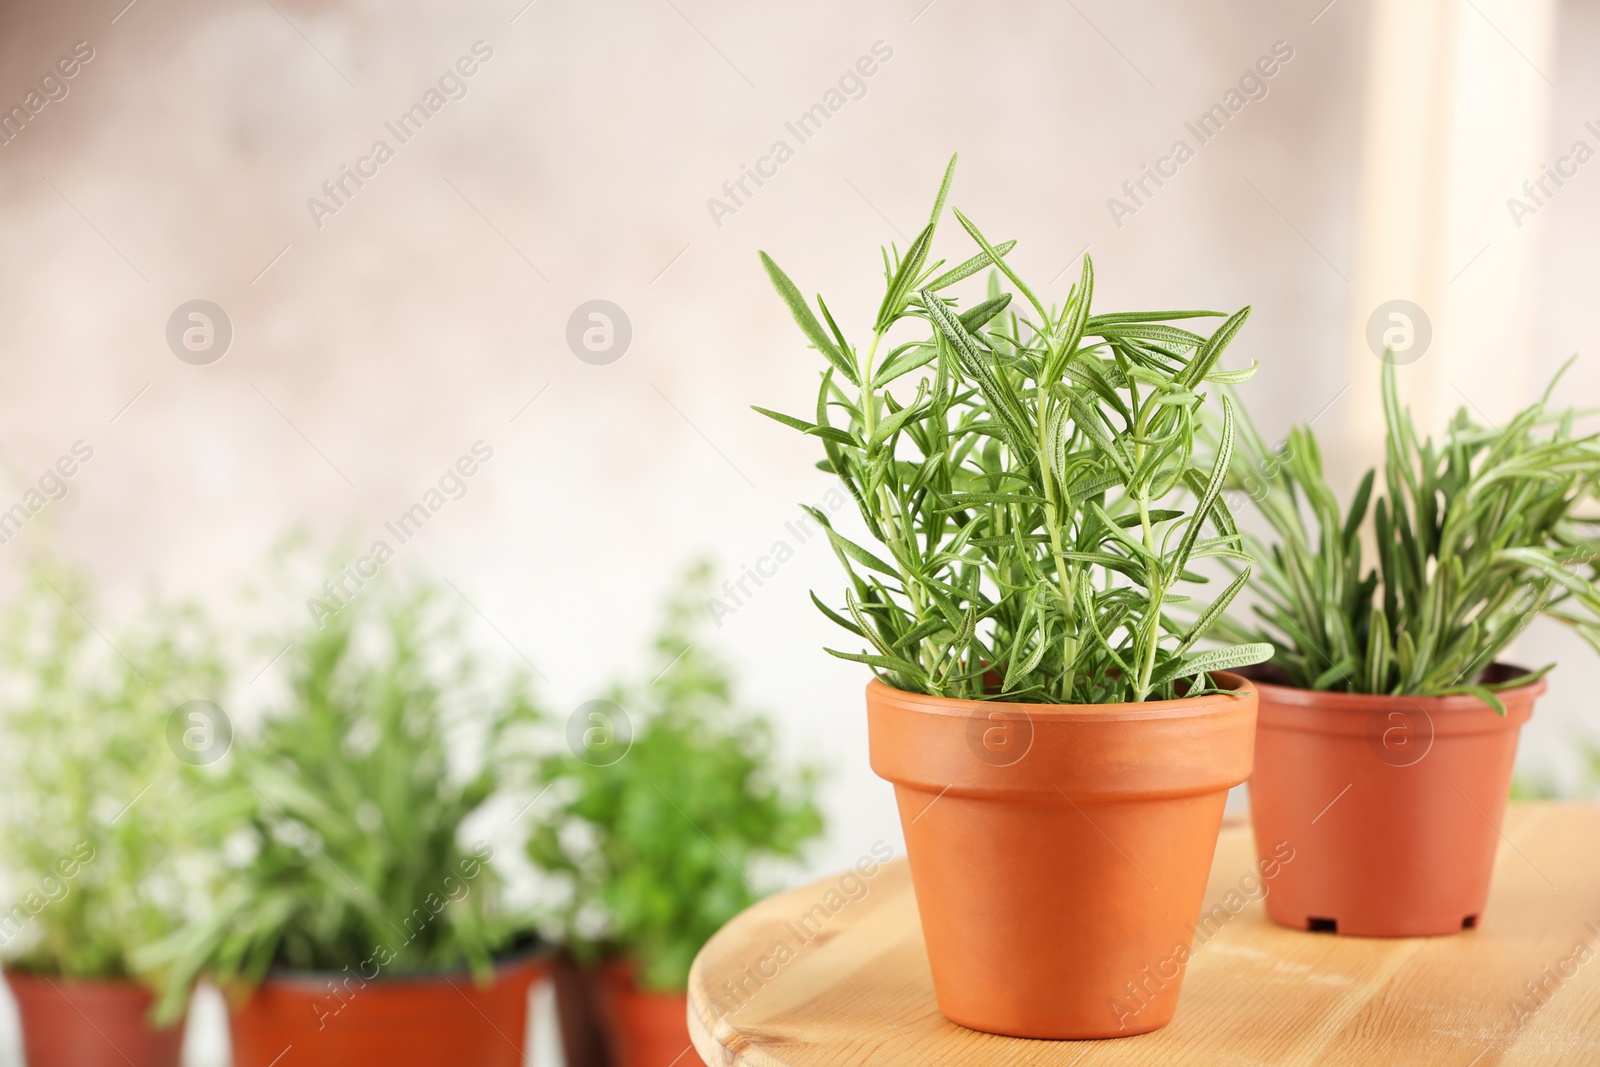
pixel 90 820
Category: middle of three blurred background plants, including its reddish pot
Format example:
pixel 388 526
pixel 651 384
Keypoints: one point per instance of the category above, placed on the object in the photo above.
pixel 359 922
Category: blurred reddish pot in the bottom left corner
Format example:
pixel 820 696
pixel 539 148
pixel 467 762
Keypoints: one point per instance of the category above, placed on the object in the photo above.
pixel 73 1023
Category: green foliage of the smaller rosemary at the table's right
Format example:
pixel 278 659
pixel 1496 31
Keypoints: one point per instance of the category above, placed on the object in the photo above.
pixel 1474 538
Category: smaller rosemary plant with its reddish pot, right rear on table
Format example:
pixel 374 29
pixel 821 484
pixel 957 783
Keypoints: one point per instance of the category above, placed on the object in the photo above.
pixel 1388 721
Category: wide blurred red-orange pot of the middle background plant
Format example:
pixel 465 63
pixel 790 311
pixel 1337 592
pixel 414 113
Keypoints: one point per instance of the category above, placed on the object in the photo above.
pixel 303 1020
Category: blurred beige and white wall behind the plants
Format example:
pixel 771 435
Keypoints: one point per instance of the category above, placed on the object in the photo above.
pixel 434 305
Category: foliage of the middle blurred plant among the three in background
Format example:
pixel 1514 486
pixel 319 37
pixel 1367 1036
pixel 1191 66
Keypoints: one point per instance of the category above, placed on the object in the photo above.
pixel 350 807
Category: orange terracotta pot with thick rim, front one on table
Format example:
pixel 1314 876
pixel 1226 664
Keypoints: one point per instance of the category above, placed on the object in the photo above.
pixel 1060 853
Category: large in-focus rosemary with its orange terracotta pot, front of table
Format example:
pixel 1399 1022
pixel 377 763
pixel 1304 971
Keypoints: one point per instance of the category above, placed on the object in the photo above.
pixel 1060 748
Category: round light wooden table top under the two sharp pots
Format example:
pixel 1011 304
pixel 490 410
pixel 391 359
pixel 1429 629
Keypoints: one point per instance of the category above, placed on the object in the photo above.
pixel 852 985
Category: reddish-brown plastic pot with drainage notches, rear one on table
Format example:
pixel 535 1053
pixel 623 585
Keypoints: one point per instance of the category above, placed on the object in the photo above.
pixel 1391 805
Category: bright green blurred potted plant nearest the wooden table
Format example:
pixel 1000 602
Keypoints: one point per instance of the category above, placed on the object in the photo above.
pixel 663 815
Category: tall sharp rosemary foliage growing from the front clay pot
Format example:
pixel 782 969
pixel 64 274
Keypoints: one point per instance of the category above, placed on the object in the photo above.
pixel 1038 497
